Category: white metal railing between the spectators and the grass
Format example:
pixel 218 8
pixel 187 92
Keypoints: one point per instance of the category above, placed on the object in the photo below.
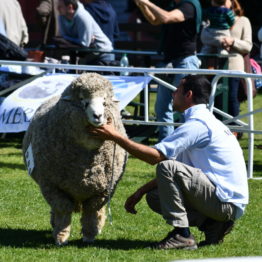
pixel 243 127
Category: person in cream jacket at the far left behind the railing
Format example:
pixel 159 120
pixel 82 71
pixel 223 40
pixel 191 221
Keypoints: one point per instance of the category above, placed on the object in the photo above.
pixel 14 22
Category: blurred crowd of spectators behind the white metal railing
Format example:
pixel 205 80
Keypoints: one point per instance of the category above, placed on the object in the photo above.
pixel 187 28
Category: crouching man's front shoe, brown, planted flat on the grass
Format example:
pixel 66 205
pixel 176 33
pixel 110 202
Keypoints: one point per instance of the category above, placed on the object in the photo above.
pixel 175 241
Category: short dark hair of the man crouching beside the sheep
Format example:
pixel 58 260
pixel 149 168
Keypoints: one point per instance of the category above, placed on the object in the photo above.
pixel 200 87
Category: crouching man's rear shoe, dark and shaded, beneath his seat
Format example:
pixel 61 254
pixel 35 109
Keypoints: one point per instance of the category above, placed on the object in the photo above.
pixel 215 231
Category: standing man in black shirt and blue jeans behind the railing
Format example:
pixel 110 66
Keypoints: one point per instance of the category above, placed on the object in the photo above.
pixel 181 23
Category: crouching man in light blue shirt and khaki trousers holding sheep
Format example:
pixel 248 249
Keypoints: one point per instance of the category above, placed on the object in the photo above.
pixel 201 175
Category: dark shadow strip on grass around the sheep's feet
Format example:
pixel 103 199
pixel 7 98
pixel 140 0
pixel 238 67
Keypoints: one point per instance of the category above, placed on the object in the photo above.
pixel 21 238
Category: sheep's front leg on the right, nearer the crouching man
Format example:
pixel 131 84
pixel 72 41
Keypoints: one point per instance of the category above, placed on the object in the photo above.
pixel 92 220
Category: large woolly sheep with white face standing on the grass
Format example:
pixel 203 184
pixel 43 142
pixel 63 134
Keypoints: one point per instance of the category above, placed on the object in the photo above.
pixel 75 171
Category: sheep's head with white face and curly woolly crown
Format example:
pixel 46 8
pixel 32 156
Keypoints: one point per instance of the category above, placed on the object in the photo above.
pixel 93 92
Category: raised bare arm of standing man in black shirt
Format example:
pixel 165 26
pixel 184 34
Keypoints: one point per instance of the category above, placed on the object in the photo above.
pixel 157 16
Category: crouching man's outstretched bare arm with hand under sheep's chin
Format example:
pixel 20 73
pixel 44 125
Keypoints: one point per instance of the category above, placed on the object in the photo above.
pixel 148 154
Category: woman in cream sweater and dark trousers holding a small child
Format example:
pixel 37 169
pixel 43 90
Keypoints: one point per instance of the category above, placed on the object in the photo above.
pixel 239 44
